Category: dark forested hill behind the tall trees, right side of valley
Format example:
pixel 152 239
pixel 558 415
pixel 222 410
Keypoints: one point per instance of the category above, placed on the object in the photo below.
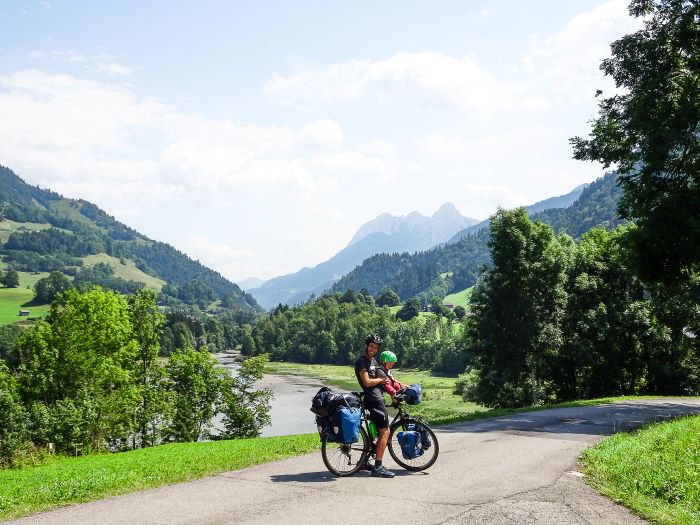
pixel 456 265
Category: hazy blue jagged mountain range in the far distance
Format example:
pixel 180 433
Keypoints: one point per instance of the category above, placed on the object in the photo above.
pixel 386 233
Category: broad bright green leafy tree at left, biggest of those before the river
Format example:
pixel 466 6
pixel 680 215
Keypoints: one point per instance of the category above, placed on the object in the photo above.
pixel 79 363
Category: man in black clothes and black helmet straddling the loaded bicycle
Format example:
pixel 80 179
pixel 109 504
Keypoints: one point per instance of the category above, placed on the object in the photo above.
pixel 366 368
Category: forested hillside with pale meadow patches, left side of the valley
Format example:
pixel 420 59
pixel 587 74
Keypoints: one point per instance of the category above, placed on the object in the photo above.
pixel 41 231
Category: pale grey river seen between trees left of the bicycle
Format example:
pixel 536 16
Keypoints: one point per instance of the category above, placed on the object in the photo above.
pixel 290 407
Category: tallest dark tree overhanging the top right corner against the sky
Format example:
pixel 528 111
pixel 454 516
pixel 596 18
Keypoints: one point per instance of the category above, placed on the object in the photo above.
pixel 649 130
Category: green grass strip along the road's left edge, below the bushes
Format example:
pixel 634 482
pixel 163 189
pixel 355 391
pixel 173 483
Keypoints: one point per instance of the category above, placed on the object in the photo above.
pixel 66 480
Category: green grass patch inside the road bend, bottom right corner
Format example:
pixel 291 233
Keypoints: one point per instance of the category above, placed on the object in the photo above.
pixel 654 471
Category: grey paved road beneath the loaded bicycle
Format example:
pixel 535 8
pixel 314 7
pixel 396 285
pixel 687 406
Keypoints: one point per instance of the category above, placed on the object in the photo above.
pixel 518 469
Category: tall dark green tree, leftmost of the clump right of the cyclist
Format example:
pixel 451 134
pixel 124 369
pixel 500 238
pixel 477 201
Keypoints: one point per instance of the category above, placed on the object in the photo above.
pixel 515 330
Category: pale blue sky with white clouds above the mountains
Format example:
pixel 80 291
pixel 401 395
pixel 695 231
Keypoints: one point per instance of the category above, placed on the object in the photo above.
pixel 258 136
